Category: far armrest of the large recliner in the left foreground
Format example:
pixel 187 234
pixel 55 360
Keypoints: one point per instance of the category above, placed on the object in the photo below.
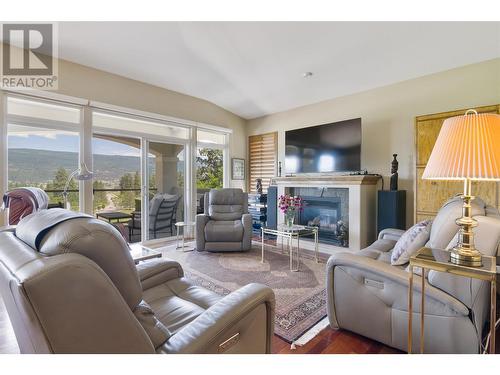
pixel 158 271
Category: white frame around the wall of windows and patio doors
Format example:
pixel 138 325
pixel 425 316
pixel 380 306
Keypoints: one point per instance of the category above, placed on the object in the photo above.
pixel 86 130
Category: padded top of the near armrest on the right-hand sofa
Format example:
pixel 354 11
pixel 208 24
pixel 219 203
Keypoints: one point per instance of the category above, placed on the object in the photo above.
pixel 392 287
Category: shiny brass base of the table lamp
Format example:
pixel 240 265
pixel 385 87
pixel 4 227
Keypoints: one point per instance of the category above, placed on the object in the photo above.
pixel 465 253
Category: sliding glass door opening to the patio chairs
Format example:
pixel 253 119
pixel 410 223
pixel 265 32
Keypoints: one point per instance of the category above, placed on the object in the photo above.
pixel 139 183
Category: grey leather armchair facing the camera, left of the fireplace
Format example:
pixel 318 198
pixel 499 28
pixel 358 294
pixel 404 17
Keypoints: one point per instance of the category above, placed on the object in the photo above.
pixel 226 224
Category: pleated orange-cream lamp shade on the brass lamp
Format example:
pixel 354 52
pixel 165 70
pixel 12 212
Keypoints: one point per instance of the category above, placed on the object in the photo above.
pixel 467 147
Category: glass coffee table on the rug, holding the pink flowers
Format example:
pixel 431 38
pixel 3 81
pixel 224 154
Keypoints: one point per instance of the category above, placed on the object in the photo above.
pixel 292 233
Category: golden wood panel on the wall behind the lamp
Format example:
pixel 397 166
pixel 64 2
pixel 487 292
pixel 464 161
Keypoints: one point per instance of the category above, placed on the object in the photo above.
pixel 431 195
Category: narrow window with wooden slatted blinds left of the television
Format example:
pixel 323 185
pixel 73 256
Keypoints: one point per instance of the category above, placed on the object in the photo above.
pixel 262 151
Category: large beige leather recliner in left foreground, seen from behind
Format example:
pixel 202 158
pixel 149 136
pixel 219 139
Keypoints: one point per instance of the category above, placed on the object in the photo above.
pixel 76 289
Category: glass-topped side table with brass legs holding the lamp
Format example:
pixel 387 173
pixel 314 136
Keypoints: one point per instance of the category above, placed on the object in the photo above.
pixel 439 260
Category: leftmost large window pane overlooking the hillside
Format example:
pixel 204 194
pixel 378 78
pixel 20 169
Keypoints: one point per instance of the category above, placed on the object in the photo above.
pixel 43 146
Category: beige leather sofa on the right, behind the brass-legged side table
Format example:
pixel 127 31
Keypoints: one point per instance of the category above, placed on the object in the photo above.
pixel 369 296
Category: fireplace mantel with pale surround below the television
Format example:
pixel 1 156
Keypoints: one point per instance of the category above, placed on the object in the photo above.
pixel 362 203
